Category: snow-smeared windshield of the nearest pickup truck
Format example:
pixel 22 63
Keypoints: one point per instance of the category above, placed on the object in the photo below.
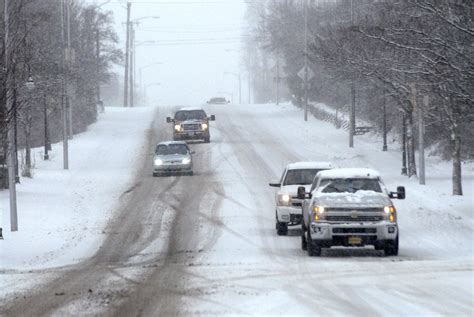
pixel 350 185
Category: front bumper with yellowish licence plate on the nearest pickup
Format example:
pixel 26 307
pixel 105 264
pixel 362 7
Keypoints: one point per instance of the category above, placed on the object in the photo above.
pixel 332 234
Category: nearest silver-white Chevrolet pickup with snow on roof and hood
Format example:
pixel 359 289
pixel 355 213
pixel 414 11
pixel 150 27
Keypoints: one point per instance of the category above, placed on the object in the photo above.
pixel 349 207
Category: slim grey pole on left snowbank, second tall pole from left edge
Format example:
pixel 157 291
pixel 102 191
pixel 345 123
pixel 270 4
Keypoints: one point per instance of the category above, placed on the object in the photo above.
pixel 63 92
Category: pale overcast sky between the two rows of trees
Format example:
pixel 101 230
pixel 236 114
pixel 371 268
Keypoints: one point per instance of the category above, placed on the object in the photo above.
pixel 196 42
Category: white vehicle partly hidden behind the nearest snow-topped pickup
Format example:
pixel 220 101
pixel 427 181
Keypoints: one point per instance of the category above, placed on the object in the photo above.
pixel 288 206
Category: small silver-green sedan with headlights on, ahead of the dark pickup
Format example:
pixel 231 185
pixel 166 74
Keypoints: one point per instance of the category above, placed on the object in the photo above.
pixel 172 157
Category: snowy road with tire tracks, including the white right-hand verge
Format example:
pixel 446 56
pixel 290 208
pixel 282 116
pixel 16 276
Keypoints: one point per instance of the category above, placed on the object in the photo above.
pixel 206 244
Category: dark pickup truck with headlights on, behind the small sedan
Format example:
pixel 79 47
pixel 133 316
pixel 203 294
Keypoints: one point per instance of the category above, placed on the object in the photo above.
pixel 191 124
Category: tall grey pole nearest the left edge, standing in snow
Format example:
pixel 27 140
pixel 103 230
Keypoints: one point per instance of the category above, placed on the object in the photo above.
pixel 9 110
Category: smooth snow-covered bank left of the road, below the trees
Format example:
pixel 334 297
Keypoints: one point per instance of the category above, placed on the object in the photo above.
pixel 62 213
